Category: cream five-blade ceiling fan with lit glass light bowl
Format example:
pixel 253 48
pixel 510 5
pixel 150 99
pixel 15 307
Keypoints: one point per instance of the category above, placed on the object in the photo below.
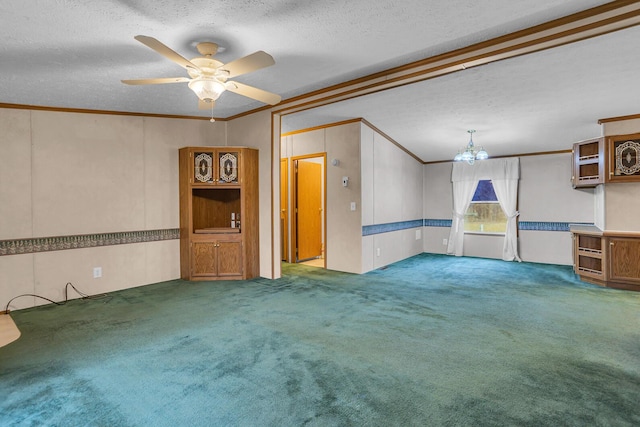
pixel 208 77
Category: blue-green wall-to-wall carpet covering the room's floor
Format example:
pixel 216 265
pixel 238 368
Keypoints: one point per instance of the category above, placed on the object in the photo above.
pixel 429 341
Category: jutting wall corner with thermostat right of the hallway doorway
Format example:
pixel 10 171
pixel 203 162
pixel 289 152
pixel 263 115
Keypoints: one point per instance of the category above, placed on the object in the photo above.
pixel 385 183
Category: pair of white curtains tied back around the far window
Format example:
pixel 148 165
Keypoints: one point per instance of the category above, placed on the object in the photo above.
pixel 504 174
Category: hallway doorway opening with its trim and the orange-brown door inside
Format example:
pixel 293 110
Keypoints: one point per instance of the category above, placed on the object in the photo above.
pixel 308 219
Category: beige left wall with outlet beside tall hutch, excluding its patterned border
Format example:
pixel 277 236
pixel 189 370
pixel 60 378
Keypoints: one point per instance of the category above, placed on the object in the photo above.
pixel 67 174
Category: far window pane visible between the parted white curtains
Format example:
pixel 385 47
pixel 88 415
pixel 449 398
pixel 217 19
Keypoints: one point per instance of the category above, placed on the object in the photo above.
pixel 485 214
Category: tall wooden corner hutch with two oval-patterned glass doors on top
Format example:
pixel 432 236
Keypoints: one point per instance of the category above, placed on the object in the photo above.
pixel 218 213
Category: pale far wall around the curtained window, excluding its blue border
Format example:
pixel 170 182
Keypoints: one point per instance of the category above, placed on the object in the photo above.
pixel 545 194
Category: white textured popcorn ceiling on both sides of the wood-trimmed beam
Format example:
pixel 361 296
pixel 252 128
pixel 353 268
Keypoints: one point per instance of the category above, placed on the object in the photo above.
pixel 73 54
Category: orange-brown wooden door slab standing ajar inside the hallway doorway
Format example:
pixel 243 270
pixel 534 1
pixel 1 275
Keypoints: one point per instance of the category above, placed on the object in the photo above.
pixel 309 215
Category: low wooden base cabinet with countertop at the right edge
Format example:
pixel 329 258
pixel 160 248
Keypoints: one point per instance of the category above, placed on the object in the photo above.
pixel 604 258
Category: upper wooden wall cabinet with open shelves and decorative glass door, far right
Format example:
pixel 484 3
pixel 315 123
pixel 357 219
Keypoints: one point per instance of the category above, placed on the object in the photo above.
pixel 602 160
